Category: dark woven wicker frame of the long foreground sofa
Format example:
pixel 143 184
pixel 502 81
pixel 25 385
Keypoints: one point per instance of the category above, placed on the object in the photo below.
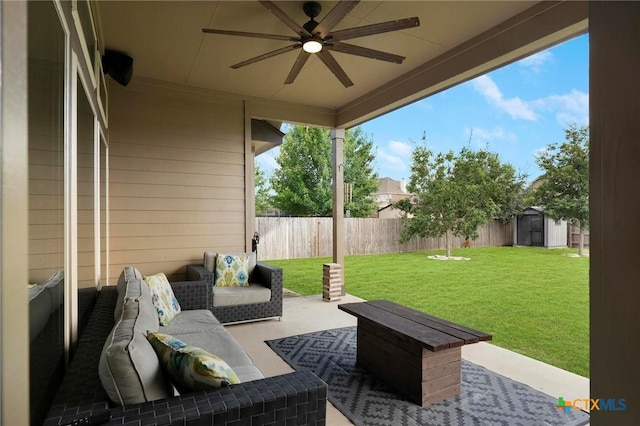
pixel 297 398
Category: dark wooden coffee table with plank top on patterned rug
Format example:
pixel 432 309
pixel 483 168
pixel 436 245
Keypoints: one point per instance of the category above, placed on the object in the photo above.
pixel 416 353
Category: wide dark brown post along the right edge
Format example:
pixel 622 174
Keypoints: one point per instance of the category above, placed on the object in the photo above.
pixel 614 82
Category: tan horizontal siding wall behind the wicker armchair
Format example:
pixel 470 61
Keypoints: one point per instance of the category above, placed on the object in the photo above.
pixel 177 183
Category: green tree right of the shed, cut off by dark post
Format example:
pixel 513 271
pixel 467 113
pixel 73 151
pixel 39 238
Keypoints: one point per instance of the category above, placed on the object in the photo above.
pixel 564 187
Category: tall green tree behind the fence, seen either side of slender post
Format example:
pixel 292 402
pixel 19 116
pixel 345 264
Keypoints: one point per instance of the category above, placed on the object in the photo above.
pixel 303 182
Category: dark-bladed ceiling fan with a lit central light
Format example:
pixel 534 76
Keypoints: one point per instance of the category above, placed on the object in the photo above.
pixel 319 39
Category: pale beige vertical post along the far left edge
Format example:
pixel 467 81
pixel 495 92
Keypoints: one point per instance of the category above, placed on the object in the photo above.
pixel 14 253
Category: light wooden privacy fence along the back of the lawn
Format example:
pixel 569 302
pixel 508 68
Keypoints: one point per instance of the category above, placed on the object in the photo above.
pixel 304 237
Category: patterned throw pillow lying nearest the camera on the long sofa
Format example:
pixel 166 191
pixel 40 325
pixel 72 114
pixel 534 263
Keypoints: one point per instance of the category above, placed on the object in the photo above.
pixel 191 368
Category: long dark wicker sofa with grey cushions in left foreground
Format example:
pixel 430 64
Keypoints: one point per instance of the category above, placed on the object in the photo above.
pixel 297 398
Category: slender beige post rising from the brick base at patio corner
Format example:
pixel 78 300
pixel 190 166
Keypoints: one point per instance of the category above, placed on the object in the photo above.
pixel 337 142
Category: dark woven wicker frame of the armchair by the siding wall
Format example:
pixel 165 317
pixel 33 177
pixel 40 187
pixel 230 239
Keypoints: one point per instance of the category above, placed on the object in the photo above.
pixel 264 274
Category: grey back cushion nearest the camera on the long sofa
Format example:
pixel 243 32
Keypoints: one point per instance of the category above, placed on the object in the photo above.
pixel 129 368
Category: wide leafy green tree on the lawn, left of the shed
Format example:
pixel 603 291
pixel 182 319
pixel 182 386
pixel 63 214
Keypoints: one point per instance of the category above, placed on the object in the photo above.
pixel 455 194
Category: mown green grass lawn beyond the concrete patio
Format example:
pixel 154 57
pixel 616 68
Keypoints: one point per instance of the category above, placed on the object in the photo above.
pixel 533 301
